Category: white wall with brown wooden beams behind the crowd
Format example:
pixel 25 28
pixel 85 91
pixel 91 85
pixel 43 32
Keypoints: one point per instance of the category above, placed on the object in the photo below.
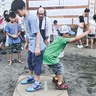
pixel 64 11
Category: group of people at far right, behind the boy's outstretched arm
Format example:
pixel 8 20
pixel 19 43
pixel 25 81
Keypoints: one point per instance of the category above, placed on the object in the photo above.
pixel 82 27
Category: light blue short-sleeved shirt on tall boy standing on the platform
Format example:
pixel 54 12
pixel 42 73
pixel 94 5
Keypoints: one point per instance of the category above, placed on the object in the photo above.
pixel 31 28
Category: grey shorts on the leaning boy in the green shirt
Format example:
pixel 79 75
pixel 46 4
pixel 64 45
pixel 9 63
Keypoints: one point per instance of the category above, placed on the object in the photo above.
pixel 58 68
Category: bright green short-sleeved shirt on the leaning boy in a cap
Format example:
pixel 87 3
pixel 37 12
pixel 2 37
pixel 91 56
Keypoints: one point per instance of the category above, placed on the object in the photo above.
pixel 53 50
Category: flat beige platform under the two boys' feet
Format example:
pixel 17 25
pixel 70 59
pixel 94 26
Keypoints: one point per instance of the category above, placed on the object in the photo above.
pixel 47 90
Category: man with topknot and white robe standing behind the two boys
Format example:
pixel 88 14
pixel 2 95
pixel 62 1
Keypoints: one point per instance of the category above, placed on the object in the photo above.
pixel 45 25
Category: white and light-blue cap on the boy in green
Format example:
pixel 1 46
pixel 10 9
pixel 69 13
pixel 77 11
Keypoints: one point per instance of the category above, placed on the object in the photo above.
pixel 66 29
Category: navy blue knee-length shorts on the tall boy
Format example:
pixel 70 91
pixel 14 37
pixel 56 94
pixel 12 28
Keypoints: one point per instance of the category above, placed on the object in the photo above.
pixel 35 62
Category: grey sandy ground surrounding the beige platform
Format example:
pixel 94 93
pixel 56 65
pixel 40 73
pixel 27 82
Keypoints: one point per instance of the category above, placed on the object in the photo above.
pixel 79 71
